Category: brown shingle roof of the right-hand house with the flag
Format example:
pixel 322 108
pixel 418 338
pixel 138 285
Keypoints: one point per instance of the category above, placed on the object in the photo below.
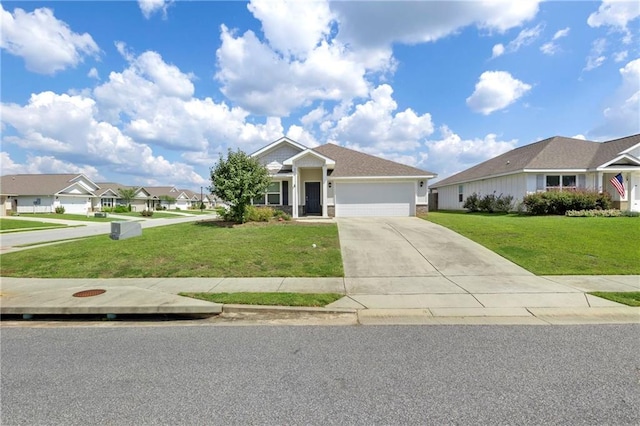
pixel 556 153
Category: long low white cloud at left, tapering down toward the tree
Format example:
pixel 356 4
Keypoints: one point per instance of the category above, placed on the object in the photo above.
pixel 64 127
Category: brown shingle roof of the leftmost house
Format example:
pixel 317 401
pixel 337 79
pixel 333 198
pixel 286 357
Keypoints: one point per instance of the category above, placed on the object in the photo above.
pixel 35 184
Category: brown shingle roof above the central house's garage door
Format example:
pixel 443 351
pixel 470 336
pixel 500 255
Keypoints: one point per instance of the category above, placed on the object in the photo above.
pixel 350 163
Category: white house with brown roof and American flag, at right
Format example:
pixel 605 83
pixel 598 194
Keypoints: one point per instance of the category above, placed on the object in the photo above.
pixel 554 164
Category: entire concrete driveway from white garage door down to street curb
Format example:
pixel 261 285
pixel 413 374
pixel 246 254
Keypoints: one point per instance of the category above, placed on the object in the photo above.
pixel 411 263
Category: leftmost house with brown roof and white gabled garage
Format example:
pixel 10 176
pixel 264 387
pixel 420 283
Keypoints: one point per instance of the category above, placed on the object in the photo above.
pixel 42 193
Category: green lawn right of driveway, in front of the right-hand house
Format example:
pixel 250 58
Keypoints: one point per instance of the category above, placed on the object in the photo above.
pixel 554 245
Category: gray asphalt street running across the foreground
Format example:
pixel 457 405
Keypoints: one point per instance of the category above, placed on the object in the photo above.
pixel 577 375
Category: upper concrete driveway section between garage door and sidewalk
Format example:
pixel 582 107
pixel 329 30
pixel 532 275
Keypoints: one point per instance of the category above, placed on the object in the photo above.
pixel 412 247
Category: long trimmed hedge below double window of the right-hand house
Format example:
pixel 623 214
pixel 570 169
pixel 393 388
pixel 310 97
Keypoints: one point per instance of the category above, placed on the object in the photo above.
pixel 558 203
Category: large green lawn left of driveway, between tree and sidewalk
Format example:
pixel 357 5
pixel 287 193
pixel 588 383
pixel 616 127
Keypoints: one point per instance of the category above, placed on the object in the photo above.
pixel 198 249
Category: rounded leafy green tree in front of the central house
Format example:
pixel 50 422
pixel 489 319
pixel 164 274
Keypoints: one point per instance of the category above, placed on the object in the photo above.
pixel 237 179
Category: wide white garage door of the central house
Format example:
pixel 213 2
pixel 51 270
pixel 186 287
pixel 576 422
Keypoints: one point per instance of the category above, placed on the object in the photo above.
pixel 374 199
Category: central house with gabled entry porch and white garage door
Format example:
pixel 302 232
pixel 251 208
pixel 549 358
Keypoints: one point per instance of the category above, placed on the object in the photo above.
pixel 330 180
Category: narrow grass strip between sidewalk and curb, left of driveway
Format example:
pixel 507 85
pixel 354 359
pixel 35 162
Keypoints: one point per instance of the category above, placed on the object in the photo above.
pixel 272 299
